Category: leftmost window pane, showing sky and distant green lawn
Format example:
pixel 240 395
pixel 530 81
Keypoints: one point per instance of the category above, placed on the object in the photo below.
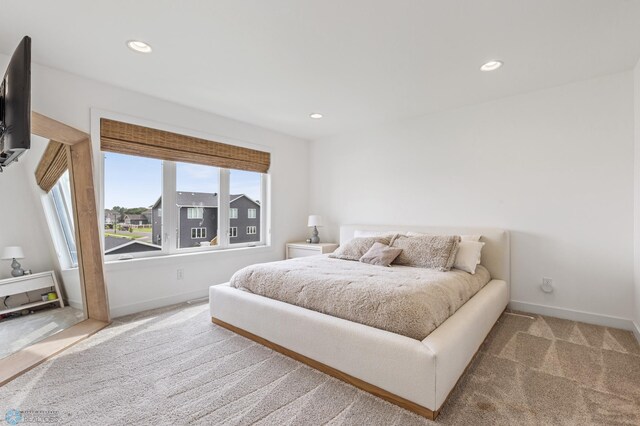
pixel 132 193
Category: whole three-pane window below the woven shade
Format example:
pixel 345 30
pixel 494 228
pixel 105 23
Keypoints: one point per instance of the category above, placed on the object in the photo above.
pixel 155 207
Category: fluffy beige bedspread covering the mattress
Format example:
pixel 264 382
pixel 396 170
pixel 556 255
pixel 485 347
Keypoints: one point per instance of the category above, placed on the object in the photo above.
pixel 404 300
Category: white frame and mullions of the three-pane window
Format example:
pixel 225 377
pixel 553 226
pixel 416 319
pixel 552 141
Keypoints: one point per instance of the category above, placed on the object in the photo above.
pixel 170 217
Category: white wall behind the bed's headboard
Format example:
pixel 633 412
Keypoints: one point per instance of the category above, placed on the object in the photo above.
pixel 555 167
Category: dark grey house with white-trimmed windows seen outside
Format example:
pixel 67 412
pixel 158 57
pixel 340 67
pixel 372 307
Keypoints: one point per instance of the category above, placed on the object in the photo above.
pixel 198 219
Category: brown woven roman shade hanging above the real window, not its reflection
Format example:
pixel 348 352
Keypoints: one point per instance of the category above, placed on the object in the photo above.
pixel 126 138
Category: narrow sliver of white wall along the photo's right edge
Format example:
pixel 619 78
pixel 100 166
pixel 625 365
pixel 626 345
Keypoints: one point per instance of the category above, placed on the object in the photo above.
pixel 636 215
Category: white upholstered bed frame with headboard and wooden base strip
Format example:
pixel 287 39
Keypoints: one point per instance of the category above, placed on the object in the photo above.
pixel 417 375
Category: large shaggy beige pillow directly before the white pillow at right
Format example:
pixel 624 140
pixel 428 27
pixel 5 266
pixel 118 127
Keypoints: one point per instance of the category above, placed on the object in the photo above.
pixel 427 251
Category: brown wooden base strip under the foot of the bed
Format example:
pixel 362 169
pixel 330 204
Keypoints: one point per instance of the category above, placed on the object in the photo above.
pixel 361 384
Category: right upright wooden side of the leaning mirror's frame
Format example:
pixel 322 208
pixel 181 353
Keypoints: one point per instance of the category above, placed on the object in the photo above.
pixel 90 260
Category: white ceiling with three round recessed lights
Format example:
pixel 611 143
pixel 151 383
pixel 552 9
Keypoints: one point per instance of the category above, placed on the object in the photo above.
pixel 358 62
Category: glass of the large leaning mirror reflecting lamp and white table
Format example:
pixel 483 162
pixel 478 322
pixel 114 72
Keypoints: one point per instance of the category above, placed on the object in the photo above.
pixel 37 239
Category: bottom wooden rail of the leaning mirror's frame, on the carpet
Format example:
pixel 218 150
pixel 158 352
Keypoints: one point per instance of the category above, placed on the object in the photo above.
pixel 20 362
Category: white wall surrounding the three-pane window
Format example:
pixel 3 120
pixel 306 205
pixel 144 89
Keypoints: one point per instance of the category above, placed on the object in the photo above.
pixel 141 284
